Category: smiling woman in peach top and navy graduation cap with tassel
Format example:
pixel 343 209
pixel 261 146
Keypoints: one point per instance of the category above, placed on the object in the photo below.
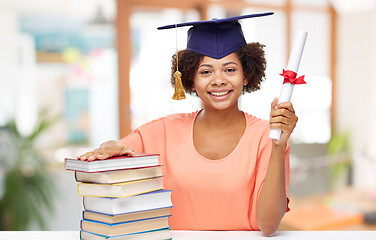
pixel 224 170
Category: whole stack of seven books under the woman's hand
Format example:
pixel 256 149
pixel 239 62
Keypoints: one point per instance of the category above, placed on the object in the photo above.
pixel 123 198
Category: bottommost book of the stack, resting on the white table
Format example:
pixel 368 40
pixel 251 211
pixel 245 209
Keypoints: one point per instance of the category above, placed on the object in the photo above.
pixel 159 234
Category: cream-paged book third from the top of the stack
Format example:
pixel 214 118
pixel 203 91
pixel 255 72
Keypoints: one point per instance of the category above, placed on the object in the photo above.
pixel 124 189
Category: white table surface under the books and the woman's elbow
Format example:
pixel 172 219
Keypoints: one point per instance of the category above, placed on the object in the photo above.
pixel 205 235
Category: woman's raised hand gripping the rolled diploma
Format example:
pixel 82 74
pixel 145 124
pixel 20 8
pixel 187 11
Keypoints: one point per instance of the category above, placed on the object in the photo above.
pixel 282 116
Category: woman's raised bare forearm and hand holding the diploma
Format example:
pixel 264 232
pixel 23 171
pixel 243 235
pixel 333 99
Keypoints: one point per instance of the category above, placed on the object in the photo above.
pixel 272 202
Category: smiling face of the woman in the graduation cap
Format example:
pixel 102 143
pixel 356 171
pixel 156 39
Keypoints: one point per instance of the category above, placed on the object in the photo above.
pixel 219 82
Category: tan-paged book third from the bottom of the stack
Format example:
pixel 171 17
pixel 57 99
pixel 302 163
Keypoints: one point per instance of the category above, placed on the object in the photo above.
pixel 111 218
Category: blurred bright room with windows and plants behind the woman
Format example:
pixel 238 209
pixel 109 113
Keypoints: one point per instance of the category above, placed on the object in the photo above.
pixel 74 74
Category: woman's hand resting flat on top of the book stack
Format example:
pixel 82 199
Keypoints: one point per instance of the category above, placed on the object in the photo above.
pixel 107 149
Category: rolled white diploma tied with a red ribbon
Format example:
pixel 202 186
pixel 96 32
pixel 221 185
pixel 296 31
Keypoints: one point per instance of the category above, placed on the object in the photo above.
pixel 290 74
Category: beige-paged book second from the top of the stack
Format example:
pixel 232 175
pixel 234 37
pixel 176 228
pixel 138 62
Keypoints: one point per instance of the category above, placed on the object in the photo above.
pixel 119 175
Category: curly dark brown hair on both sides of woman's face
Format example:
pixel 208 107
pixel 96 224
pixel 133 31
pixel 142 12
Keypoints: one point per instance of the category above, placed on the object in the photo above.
pixel 251 56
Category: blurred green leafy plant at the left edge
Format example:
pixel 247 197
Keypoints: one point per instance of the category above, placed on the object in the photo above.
pixel 27 189
